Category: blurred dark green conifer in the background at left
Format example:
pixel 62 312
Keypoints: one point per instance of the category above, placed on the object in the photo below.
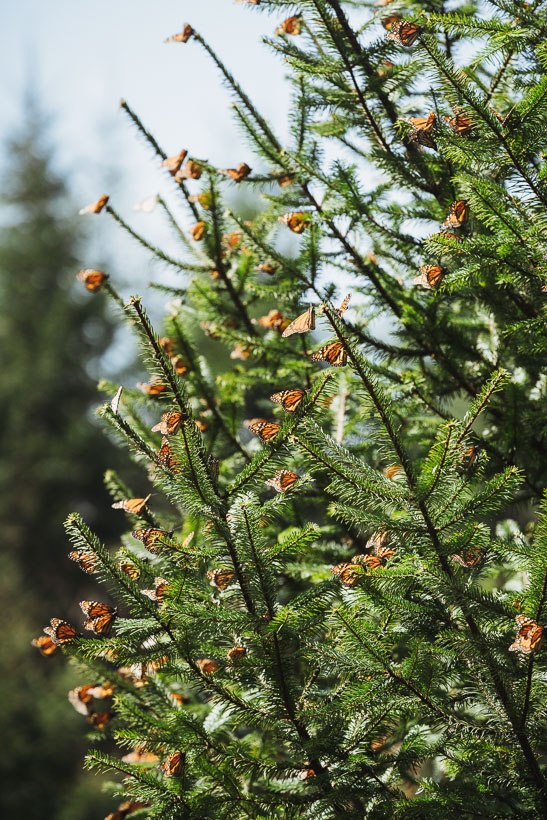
pixel 52 460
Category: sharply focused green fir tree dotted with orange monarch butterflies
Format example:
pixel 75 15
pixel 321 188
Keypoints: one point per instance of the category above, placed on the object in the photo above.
pixel 340 617
